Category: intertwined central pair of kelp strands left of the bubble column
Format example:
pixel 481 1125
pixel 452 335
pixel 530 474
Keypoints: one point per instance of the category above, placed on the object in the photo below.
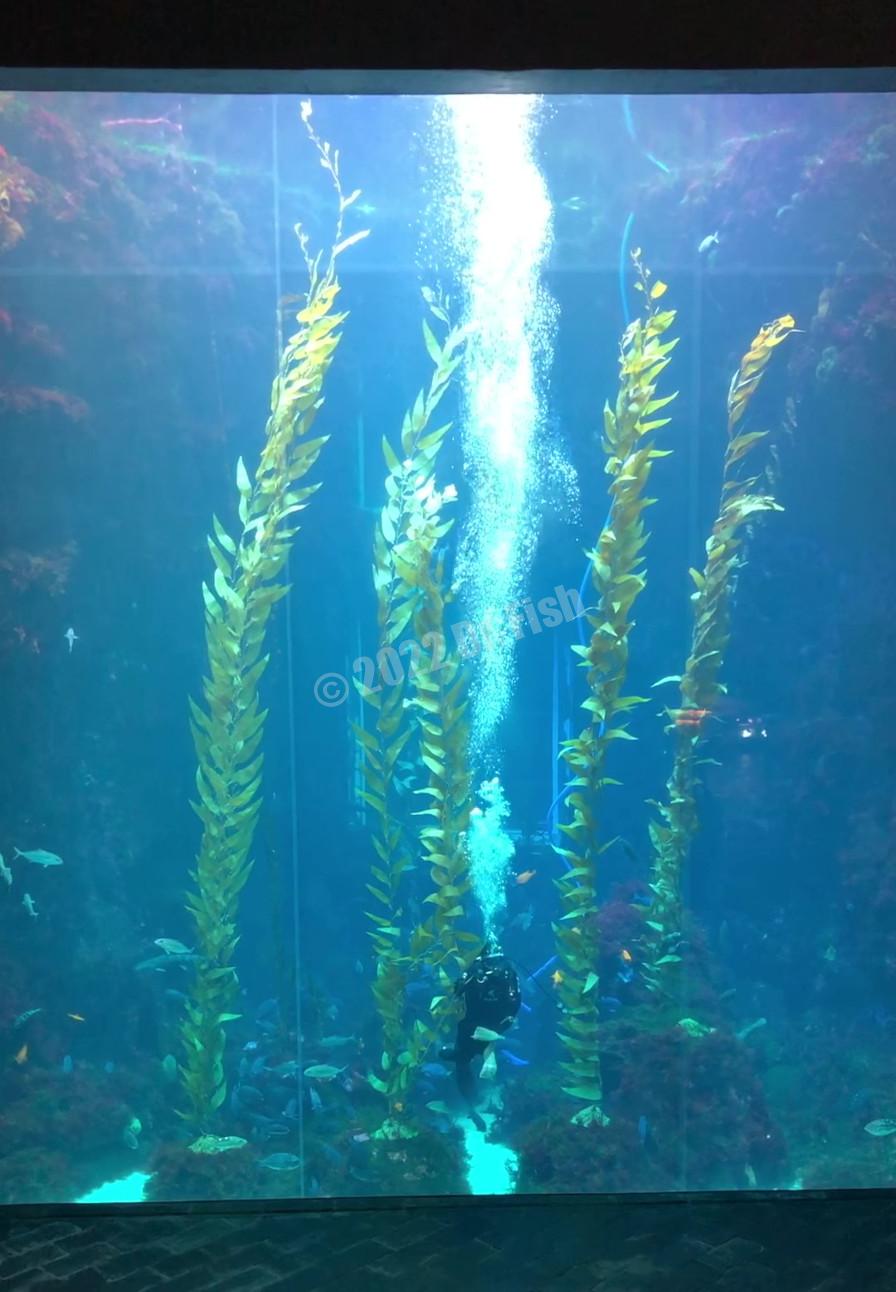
pixel 409 581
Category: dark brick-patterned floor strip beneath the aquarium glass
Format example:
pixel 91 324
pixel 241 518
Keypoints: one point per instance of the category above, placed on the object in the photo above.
pixel 791 1245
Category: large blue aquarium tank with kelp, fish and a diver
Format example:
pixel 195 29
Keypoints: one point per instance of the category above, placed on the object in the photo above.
pixel 447 583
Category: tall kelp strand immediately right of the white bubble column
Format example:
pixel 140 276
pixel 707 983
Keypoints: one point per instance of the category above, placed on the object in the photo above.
pixel 619 579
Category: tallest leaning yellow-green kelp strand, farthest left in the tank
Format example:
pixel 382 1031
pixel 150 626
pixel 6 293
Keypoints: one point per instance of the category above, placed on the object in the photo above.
pixel 228 729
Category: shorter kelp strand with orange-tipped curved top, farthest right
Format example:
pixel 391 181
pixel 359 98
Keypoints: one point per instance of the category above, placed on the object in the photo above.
pixel 744 497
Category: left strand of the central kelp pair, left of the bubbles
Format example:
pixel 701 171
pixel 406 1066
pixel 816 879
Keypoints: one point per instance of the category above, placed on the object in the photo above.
pixel 408 534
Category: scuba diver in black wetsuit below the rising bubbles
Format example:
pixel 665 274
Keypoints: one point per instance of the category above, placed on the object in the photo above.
pixel 492 998
